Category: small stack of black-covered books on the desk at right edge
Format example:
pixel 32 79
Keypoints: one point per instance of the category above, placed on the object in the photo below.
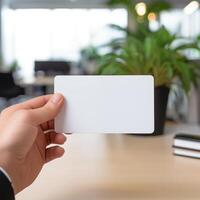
pixel 187 145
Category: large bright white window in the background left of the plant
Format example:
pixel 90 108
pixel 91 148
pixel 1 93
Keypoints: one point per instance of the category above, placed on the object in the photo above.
pixel 42 34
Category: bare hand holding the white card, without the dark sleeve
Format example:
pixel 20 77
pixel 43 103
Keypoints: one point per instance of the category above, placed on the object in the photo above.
pixel 26 130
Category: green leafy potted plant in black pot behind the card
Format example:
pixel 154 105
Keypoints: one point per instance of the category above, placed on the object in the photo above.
pixel 155 54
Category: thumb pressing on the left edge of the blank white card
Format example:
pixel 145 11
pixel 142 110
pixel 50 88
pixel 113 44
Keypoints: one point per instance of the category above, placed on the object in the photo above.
pixel 48 111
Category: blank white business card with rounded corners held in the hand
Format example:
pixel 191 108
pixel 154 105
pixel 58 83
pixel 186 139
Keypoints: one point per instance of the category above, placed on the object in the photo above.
pixel 106 104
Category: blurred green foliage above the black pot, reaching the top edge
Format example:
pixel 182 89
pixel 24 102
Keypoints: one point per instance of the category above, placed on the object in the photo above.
pixel 144 52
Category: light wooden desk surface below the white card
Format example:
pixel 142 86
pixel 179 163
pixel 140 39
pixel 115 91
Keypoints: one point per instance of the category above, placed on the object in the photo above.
pixel 118 167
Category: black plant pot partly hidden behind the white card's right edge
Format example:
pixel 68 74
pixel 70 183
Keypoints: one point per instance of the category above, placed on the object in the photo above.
pixel 161 100
